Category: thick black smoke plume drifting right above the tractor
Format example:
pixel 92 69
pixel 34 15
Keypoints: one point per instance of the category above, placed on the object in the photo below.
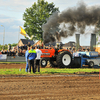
pixel 76 18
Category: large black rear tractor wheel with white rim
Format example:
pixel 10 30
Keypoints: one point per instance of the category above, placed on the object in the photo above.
pixel 64 59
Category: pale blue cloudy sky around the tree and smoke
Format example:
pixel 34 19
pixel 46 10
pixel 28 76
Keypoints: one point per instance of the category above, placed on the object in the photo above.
pixel 11 17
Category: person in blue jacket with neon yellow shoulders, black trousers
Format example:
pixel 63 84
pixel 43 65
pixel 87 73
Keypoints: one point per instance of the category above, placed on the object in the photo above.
pixel 31 56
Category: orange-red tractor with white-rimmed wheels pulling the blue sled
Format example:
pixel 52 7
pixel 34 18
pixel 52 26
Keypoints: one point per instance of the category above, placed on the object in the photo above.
pixel 57 57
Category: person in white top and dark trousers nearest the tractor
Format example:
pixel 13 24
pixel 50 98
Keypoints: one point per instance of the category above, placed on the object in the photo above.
pixel 37 60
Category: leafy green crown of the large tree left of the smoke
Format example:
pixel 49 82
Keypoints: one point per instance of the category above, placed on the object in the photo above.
pixel 35 16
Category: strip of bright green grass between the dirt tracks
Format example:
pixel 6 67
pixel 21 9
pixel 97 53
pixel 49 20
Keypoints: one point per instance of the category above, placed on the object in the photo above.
pixel 49 71
